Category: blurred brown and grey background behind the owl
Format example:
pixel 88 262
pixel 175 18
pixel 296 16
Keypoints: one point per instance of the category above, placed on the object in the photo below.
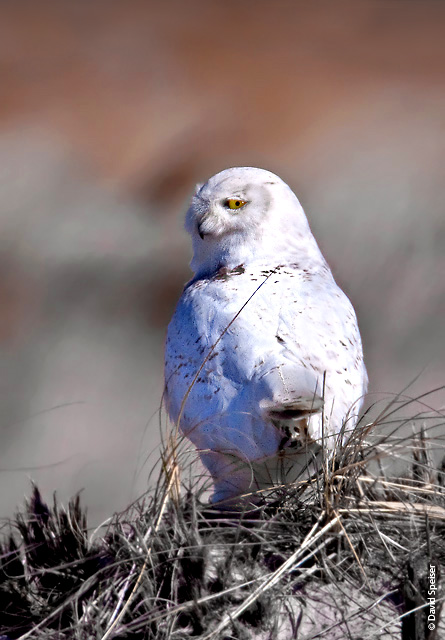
pixel 110 112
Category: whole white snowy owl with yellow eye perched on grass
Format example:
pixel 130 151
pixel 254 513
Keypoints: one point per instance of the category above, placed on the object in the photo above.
pixel 264 363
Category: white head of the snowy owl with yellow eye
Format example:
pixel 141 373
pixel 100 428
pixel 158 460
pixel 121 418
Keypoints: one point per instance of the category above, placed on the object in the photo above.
pixel 244 215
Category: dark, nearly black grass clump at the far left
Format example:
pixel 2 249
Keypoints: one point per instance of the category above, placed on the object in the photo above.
pixel 52 562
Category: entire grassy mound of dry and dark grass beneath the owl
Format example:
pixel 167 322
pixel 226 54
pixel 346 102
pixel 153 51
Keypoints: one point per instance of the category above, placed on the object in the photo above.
pixel 345 554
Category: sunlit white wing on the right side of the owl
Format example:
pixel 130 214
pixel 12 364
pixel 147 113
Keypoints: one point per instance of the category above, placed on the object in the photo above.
pixel 319 331
